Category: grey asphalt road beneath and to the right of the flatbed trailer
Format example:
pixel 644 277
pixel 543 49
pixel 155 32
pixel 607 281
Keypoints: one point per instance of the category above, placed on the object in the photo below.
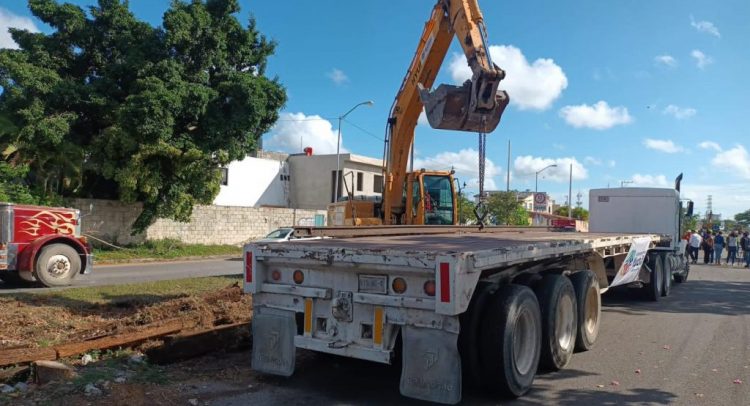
pixel 687 349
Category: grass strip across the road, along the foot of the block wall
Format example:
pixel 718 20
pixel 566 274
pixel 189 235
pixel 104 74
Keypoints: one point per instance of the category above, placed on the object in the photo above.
pixel 161 249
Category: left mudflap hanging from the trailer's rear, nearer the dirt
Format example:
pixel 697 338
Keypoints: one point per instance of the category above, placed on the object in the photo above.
pixel 273 341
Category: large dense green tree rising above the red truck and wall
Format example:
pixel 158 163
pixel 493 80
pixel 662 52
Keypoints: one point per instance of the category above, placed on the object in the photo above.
pixel 108 106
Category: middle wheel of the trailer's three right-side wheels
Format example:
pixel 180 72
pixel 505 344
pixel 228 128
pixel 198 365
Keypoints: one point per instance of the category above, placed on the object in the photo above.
pixel 557 302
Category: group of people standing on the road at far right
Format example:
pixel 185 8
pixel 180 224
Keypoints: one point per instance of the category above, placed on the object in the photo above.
pixel 713 244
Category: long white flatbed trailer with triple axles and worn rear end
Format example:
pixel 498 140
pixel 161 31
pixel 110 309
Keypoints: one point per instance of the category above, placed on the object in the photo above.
pixel 458 305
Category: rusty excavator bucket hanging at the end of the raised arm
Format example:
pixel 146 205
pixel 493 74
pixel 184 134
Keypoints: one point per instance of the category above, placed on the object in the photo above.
pixel 449 108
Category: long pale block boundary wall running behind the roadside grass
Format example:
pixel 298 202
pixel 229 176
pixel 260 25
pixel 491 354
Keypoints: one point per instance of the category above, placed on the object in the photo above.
pixel 111 221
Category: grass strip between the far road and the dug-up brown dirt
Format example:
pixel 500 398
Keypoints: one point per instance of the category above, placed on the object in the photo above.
pixel 144 292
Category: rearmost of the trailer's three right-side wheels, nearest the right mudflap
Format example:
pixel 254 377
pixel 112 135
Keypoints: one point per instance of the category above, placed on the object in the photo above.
pixel 510 340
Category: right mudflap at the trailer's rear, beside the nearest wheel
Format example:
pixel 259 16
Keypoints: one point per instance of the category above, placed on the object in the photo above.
pixel 431 365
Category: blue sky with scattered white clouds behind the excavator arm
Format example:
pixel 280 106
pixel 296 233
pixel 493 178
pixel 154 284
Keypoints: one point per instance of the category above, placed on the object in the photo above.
pixel 624 90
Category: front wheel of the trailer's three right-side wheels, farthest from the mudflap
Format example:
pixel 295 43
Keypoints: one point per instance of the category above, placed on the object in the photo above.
pixel 589 304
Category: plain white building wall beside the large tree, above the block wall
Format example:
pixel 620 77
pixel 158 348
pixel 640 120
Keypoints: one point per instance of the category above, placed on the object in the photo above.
pixel 255 182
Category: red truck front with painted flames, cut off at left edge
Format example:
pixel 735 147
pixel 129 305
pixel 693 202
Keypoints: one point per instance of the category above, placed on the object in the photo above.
pixel 42 244
